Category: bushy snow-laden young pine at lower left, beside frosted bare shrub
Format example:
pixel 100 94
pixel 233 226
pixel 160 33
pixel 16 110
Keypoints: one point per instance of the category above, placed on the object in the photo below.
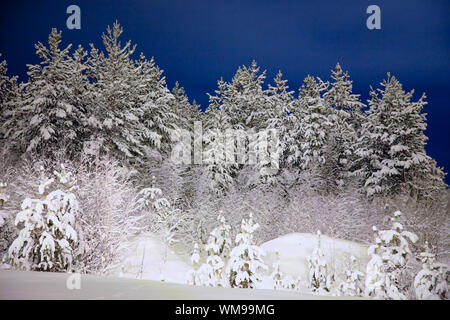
pixel 48 240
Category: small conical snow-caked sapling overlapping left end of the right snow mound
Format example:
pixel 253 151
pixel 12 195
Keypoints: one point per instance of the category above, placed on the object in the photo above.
pixel 245 261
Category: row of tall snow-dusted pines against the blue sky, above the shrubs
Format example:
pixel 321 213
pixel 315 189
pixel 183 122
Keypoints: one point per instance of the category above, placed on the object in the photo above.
pixel 86 103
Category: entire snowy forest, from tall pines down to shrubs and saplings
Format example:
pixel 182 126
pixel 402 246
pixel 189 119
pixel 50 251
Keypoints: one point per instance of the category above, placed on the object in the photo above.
pixel 90 159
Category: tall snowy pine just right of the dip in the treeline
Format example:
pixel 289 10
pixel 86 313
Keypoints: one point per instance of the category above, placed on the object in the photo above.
pixel 244 103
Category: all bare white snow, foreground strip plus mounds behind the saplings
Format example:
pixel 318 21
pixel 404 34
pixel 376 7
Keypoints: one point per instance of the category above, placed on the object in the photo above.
pixel 143 274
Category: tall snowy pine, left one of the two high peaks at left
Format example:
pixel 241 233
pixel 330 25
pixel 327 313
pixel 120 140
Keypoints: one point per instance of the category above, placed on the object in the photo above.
pixel 47 117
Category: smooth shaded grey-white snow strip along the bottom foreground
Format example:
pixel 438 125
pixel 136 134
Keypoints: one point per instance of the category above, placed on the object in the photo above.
pixel 46 285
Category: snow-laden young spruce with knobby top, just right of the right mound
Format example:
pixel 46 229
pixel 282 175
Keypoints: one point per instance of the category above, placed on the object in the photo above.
pixel 389 256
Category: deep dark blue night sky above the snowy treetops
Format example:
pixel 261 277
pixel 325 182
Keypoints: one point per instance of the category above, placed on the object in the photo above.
pixel 197 42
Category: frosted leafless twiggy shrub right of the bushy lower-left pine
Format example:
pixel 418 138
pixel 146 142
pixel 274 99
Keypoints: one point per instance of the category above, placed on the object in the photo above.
pixel 109 215
